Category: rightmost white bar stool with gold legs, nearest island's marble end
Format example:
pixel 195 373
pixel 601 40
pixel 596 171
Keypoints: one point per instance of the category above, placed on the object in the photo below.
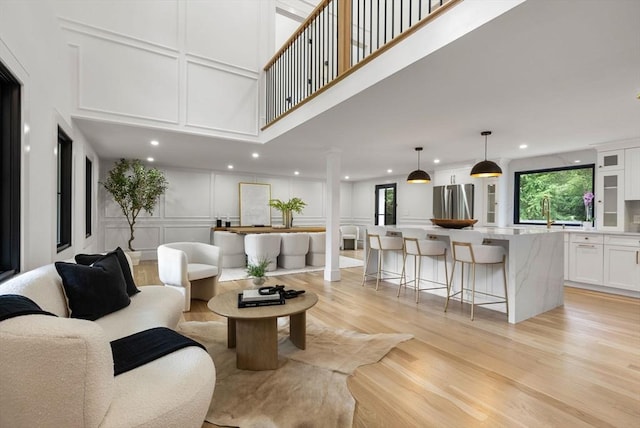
pixel 473 254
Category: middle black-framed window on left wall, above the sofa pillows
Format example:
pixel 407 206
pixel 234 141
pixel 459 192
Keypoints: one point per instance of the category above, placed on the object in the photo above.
pixel 64 189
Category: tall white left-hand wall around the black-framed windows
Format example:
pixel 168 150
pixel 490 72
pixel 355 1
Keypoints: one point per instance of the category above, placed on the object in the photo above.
pixel 33 48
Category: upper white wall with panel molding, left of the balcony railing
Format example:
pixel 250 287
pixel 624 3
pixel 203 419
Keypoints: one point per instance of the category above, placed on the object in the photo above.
pixel 191 66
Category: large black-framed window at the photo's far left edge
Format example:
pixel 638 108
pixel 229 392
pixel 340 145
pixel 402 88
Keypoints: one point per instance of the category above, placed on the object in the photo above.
pixel 10 172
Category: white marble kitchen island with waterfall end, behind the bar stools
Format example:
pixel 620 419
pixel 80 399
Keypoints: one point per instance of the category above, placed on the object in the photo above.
pixel 535 265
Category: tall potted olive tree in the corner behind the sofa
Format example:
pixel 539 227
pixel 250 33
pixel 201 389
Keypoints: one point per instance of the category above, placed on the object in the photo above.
pixel 134 187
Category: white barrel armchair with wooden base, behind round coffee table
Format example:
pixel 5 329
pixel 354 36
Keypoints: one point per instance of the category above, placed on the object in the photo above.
pixel 190 267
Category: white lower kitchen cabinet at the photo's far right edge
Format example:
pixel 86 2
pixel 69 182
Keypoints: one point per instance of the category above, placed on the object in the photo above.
pixel 622 262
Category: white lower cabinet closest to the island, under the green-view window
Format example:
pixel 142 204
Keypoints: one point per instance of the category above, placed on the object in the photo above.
pixel 585 259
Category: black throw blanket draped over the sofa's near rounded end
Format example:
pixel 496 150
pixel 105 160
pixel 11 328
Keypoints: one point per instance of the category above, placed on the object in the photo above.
pixel 143 347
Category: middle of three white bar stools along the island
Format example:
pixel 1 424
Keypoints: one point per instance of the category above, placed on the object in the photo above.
pixel 419 248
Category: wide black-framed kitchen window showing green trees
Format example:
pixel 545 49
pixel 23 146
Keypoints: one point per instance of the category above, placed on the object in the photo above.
pixel 565 188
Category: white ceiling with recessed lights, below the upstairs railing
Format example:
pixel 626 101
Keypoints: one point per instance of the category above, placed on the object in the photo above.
pixel 558 76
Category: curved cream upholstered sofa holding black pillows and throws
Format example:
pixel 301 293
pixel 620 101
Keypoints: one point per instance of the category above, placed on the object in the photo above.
pixel 59 371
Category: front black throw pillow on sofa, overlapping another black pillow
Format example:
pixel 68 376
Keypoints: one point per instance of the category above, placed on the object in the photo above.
pixel 94 291
